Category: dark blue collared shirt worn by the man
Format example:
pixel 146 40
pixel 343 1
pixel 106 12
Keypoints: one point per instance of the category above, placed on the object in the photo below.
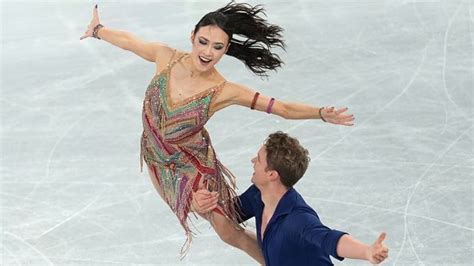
pixel 294 235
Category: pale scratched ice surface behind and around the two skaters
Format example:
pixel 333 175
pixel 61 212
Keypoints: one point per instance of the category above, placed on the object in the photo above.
pixel 71 188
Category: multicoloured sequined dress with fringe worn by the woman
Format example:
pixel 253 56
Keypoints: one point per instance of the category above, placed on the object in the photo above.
pixel 178 151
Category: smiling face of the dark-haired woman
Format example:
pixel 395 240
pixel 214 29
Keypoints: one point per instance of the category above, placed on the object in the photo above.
pixel 210 43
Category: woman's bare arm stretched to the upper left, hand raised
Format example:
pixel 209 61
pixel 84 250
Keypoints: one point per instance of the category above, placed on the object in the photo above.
pixel 150 51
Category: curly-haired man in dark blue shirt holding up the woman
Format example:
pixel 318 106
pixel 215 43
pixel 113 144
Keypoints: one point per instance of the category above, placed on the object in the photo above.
pixel 289 231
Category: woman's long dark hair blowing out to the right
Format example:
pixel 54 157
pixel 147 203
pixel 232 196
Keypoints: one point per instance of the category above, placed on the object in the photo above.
pixel 256 35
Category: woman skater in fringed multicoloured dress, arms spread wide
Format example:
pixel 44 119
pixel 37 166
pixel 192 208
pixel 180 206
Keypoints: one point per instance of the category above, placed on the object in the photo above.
pixel 187 90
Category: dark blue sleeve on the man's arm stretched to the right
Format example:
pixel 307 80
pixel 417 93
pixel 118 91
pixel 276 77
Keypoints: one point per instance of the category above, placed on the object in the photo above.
pixel 322 237
